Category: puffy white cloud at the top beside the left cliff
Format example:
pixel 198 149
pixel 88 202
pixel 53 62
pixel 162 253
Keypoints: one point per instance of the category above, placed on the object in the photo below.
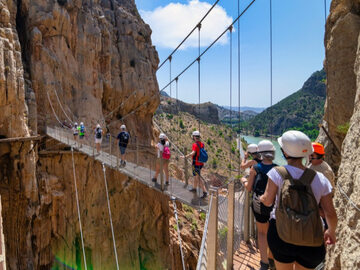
pixel 171 24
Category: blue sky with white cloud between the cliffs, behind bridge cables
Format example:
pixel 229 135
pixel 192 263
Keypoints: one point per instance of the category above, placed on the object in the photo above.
pixel 298 47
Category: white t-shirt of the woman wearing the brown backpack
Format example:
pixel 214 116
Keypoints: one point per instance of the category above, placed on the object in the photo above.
pixel 320 186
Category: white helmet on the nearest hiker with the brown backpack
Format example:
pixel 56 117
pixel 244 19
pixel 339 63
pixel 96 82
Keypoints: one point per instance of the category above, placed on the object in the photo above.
pixel 296 144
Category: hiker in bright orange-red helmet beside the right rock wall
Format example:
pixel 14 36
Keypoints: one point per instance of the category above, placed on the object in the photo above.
pixel 317 163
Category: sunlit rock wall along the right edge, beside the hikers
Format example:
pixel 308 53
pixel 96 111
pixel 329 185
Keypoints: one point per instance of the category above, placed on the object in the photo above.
pixel 343 106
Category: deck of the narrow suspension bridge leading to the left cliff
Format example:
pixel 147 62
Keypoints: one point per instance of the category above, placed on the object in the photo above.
pixel 143 175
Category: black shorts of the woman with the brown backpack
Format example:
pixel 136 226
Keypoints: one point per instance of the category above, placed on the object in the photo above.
pixel 283 252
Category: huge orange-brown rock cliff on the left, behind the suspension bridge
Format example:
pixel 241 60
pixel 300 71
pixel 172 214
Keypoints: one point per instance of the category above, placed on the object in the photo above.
pixel 76 60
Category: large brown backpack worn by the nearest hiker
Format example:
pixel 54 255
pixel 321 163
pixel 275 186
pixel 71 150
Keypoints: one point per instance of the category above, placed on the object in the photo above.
pixel 297 214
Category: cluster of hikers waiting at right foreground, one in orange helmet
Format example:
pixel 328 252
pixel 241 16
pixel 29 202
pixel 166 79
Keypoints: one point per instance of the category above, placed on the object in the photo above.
pixel 292 204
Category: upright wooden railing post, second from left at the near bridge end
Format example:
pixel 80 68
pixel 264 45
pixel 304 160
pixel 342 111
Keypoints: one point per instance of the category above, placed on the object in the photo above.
pixel 230 234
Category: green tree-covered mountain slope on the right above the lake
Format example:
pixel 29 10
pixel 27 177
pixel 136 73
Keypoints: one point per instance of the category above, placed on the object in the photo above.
pixel 303 110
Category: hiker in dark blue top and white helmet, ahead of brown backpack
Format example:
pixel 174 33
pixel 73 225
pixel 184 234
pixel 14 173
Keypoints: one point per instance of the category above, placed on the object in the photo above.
pixel 257 182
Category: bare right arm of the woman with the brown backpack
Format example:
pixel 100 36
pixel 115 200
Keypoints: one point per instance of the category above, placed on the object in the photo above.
pixel 331 218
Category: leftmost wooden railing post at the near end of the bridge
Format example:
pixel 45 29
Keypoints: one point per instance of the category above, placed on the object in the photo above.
pixel 213 231
